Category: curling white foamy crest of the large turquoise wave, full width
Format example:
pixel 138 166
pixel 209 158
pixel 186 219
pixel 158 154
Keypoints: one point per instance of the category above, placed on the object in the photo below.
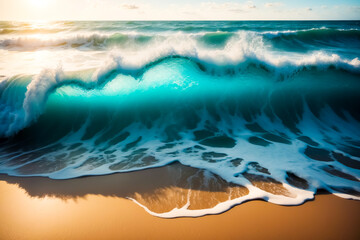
pixel 213 63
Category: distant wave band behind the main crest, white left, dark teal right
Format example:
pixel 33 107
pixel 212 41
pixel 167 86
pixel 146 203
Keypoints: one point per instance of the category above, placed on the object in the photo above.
pixel 138 40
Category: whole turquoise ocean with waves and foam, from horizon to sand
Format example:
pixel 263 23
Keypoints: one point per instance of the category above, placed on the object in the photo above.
pixel 246 101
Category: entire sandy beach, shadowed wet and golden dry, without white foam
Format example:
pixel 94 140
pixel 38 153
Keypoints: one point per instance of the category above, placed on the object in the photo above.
pixel 97 208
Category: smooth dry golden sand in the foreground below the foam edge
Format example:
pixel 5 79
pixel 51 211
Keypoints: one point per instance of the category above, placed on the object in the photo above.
pixel 99 217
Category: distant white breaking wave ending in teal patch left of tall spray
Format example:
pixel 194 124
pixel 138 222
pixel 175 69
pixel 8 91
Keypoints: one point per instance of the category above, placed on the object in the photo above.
pixel 103 41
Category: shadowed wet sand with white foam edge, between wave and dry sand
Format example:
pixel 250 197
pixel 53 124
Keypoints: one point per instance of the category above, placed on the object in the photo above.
pixel 171 191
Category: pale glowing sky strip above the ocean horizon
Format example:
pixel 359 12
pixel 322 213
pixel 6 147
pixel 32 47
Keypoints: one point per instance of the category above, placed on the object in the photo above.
pixel 179 10
